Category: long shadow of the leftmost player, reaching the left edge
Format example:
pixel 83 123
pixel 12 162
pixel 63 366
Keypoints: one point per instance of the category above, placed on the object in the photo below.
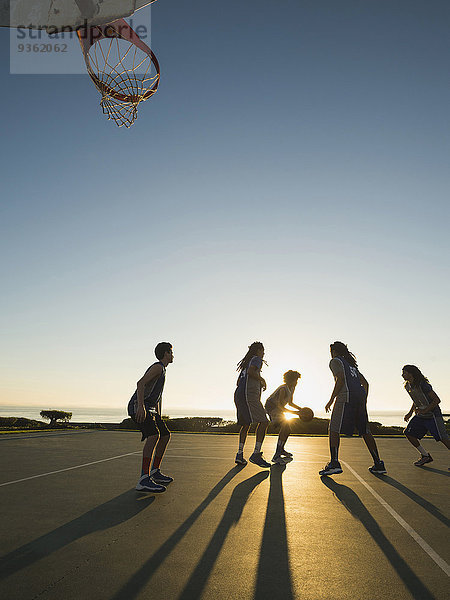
pixel 107 515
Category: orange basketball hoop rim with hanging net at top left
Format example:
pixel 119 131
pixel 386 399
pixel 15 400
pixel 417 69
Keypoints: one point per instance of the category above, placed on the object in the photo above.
pixel 122 67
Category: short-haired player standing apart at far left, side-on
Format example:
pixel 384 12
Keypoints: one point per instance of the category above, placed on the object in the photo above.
pixel 144 408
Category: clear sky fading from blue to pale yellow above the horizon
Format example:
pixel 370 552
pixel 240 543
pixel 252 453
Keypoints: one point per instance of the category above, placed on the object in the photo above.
pixel 289 183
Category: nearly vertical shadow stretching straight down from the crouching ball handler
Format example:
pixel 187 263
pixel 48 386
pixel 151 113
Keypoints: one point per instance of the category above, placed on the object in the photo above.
pixel 274 574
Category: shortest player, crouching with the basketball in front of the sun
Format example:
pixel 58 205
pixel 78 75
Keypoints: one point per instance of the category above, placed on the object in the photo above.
pixel 276 406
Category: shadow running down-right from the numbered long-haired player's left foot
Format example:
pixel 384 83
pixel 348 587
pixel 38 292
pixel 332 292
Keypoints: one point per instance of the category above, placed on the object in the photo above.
pixel 355 506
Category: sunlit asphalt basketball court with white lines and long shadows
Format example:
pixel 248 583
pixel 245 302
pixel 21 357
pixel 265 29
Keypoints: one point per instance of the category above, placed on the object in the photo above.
pixel 73 527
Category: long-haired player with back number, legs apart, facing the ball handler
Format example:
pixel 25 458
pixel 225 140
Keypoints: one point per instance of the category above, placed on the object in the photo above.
pixel 349 396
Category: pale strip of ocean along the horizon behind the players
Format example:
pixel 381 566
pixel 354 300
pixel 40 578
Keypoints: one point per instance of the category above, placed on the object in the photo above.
pixel 117 415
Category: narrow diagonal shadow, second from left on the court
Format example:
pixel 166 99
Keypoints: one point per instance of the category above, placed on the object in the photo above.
pixel 133 587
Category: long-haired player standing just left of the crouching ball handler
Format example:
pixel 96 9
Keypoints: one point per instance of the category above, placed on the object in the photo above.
pixel 247 399
